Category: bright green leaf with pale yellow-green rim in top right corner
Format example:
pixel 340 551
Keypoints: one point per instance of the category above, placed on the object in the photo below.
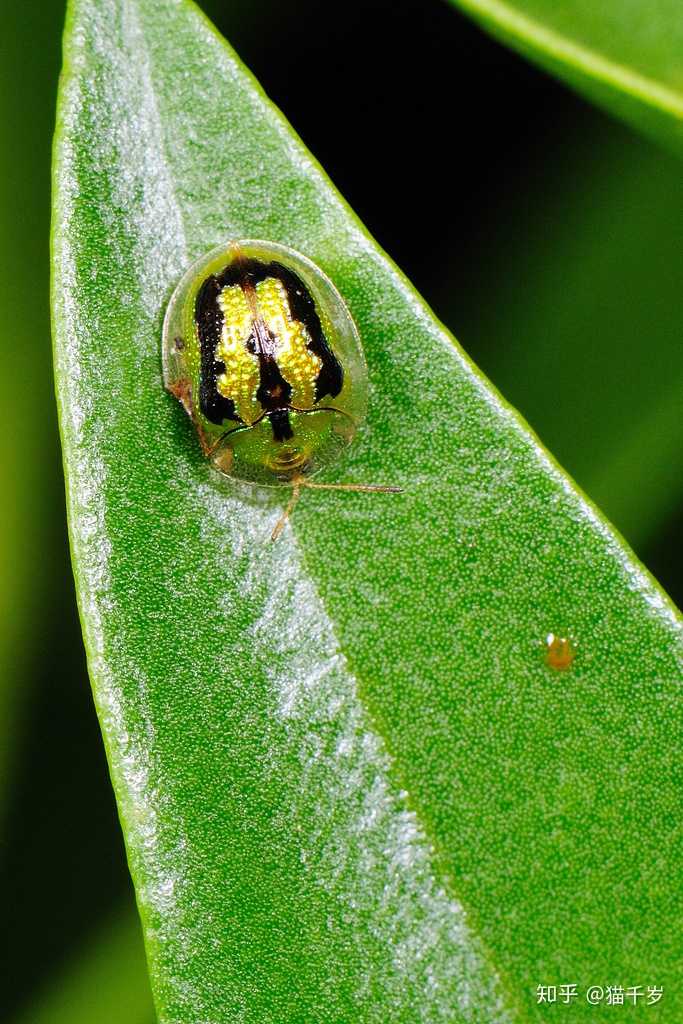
pixel 623 55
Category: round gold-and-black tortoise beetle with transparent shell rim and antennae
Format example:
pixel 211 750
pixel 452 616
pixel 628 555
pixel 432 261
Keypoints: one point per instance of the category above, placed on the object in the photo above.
pixel 265 357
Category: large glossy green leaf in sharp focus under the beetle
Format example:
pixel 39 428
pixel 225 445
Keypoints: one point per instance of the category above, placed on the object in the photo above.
pixel 351 787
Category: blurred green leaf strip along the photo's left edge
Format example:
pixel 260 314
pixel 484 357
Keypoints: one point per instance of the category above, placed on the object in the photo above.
pixel 28 425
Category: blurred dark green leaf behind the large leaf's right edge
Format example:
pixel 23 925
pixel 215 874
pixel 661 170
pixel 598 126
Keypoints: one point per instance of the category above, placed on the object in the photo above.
pixel 587 345
